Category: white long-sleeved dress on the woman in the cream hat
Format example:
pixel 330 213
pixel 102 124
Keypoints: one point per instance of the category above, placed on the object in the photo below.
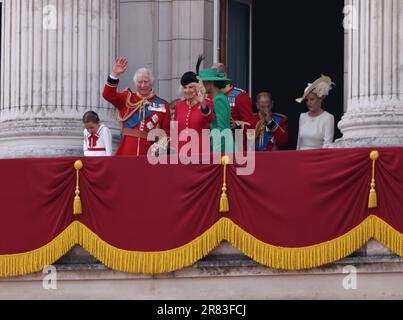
pixel 314 132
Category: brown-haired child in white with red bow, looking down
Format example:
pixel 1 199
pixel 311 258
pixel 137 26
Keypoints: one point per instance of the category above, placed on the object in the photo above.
pixel 97 137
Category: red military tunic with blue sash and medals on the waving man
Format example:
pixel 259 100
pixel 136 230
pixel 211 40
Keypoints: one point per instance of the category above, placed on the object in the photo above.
pixel 154 115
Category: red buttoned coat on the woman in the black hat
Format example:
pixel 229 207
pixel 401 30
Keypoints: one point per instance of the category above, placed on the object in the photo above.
pixel 193 118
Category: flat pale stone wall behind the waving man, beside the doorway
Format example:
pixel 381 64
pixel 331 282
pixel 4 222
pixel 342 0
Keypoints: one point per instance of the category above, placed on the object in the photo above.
pixel 167 37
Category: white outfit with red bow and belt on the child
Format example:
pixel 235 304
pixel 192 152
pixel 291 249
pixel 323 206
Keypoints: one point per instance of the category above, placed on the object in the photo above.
pixel 100 145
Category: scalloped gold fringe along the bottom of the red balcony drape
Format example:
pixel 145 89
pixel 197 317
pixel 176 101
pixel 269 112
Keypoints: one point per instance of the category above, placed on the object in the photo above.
pixel 187 255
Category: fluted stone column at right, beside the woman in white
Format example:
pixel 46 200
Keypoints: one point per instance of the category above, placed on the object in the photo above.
pixel 374 62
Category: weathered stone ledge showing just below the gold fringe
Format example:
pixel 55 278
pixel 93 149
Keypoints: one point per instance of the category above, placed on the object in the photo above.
pixel 223 261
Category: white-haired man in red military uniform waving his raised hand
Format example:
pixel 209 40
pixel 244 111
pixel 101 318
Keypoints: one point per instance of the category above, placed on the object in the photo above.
pixel 140 112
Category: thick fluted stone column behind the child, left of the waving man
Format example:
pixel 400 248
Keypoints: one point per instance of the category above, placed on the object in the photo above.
pixel 56 55
